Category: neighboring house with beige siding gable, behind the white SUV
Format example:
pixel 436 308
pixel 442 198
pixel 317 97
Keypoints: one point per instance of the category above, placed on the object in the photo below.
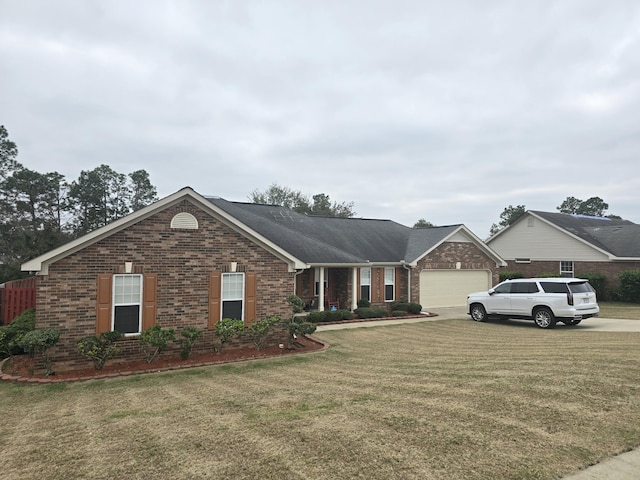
pixel 569 245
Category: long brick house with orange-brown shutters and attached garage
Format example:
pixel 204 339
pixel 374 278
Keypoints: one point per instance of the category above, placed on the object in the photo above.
pixel 192 260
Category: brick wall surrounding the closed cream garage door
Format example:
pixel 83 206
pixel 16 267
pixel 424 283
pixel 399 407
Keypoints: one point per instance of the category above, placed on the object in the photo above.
pixel 446 256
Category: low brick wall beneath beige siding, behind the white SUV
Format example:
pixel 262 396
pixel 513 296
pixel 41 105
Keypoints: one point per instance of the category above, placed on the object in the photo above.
pixel 610 270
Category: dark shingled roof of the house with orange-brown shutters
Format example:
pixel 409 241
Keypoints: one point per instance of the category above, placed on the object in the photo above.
pixel 318 239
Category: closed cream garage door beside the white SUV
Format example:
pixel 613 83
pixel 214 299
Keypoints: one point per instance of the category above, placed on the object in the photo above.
pixel 449 288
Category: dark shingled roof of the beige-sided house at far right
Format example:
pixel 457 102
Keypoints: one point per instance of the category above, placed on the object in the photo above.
pixel 620 238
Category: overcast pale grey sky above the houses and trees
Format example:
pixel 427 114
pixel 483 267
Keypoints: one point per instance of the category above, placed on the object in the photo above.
pixel 444 110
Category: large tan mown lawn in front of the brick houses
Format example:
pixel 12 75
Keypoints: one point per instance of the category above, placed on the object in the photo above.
pixel 447 399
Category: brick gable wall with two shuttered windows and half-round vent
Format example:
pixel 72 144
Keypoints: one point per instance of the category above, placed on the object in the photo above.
pixel 182 259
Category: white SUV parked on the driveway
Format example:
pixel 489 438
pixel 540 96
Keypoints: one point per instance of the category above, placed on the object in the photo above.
pixel 543 300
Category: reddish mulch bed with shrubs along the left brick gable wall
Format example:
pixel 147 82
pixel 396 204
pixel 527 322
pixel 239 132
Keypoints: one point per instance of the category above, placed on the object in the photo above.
pixel 21 367
